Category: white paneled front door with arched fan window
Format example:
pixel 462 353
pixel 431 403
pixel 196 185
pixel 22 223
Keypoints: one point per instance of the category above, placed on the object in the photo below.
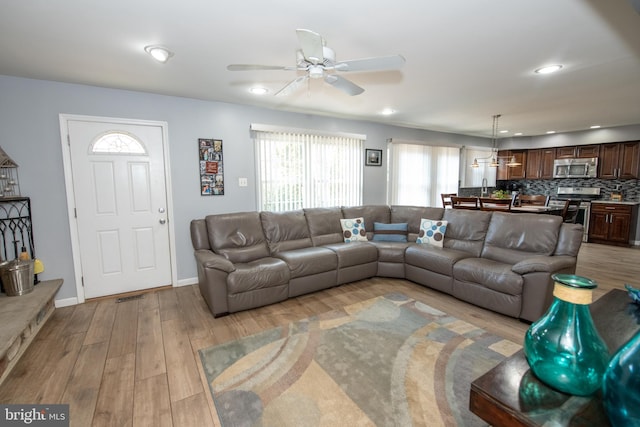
pixel 121 212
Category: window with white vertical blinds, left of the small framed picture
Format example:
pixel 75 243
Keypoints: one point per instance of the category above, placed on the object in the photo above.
pixel 300 169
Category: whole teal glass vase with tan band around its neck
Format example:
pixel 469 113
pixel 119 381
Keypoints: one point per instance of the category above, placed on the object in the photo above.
pixel 563 347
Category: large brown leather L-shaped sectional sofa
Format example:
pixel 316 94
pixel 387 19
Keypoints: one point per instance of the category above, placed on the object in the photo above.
pixel 499 261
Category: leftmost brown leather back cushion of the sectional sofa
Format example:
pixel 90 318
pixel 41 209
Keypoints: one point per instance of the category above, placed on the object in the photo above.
pixel 237 236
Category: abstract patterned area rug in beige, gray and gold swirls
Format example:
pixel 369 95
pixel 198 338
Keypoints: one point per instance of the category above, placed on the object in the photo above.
pixel 387 361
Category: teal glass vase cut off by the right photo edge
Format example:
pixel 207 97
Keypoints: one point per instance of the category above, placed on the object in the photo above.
pixel 621 385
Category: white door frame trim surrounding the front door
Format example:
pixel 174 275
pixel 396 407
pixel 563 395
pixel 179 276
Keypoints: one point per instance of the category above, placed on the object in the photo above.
pixel 71 204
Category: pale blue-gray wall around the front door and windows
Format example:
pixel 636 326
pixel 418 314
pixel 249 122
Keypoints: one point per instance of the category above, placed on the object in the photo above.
pixel 30 134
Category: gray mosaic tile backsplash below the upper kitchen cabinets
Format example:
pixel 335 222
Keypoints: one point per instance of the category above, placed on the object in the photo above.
pixel 628 187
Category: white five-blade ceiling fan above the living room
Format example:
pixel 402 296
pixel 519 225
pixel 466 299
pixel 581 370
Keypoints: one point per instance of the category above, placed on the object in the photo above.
pixel 319 61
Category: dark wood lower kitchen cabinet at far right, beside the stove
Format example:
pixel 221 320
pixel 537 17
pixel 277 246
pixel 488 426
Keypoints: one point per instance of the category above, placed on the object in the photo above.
pixel 610 223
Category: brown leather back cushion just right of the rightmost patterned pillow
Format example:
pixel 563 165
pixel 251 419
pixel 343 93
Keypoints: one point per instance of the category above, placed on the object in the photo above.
pixel 466 229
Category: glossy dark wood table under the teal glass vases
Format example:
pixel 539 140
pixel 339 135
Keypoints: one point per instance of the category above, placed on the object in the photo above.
pixel 510 395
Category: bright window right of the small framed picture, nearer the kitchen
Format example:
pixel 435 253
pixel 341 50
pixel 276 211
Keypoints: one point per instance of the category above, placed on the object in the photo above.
pixel 418 173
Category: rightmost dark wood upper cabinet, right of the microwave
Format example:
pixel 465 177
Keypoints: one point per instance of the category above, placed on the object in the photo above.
pixel 620 161
